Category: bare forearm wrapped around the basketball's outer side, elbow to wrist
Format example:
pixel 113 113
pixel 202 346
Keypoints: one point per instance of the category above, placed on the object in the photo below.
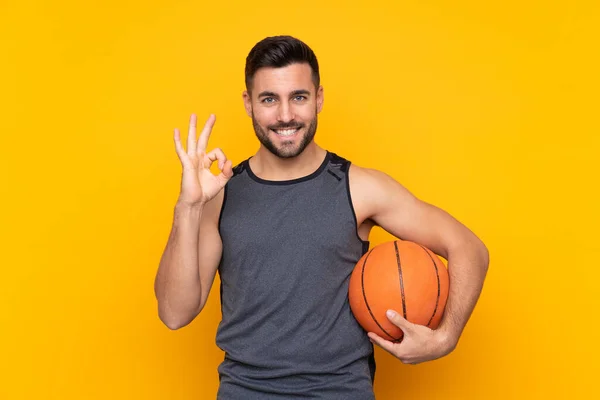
pixel 467 268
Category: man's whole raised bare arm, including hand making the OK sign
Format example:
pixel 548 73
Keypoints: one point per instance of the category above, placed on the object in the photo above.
pixel 189 262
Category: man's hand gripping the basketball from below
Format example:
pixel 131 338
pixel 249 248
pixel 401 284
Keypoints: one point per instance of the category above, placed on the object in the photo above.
pixel 419 343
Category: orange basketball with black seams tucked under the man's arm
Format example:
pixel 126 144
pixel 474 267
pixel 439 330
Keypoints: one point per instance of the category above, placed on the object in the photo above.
pixel 403 276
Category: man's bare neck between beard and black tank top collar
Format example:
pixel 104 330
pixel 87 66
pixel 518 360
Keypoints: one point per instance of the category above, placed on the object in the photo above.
pixel 268 166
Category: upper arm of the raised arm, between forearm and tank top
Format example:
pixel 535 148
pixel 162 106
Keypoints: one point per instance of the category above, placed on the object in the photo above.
pixel 210 246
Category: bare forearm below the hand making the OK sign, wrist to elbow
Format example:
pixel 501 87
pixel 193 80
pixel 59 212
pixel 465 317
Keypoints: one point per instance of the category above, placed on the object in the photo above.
pixel 177 286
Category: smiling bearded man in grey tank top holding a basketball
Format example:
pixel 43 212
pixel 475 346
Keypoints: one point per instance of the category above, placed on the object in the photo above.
pixel 285 228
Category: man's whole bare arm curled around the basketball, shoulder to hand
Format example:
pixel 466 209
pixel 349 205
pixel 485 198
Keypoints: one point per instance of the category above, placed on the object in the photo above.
pixel 399 212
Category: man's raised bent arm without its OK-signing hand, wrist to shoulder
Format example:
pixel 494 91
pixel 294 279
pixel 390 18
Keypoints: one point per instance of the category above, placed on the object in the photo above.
pixel 189 262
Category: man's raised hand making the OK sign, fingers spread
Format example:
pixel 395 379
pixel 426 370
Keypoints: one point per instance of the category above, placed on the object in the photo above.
pixel 198 184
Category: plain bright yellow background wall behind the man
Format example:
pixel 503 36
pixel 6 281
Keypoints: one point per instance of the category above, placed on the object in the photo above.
pixel 486 109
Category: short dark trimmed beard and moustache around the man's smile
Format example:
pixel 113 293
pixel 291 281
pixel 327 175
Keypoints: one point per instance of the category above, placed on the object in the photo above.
pixel 287 149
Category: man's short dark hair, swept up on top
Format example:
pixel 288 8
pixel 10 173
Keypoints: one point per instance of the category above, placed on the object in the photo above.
pixel 277 52
